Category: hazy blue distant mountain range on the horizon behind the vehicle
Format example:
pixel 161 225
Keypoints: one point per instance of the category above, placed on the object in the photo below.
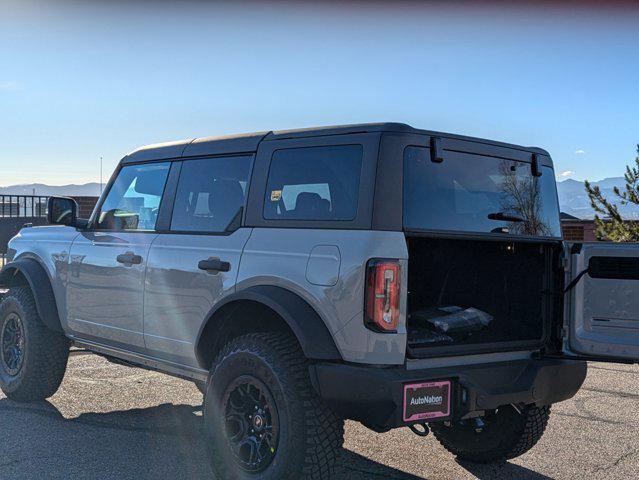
pixel 572 194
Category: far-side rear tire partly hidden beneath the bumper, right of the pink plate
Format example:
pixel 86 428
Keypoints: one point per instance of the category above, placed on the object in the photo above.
pixel 506 435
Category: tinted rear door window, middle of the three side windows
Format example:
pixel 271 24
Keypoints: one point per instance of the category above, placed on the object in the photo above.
pixel 210 194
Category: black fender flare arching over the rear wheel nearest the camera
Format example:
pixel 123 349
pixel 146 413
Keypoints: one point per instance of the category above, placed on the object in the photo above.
pixel 312 333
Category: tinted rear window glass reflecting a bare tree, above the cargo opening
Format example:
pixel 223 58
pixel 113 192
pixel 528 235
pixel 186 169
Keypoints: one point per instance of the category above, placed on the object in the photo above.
pixel 473 193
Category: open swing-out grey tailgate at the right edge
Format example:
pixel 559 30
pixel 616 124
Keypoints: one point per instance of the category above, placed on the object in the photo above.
pixel 602 304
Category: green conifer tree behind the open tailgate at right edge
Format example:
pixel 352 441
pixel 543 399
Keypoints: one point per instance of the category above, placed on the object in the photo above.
pixel 609 222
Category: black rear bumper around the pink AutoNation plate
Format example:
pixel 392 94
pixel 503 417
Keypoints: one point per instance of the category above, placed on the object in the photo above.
pixel 374 396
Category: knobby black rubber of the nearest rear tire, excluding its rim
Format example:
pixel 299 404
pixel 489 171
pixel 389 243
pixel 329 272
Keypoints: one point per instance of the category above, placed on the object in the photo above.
pixel 310 435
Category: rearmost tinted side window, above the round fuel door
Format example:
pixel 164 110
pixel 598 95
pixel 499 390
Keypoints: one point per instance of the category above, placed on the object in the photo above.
pixel 314 183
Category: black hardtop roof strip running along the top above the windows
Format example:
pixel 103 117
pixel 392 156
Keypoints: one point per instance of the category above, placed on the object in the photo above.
pixel 248 142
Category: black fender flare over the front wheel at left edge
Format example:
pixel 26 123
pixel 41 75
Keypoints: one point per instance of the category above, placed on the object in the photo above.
pixel 40 285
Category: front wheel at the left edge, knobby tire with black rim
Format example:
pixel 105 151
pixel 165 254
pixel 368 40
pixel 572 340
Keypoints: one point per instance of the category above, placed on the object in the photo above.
pixel 33 358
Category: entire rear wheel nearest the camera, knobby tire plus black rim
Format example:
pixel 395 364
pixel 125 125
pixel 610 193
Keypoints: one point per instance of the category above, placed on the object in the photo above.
pixel 262 415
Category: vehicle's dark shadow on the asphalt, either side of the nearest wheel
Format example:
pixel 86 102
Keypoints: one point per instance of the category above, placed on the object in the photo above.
pixel 165 441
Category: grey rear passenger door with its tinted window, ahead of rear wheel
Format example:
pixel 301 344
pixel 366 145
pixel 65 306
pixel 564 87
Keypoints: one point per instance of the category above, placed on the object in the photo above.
pixel 194 263
